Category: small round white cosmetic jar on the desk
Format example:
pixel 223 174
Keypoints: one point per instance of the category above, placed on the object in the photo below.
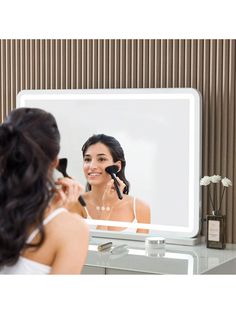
pixel 155 246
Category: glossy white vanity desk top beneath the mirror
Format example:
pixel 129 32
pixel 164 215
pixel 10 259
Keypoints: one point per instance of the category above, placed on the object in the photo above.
pixel 176 259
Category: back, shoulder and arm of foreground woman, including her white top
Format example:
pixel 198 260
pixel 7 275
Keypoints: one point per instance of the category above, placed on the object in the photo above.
pixel 44 260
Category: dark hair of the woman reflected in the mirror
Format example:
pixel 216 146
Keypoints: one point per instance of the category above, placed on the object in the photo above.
pixel 116 151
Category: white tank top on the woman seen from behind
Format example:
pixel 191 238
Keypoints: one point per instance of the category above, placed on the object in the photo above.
pixel 25 266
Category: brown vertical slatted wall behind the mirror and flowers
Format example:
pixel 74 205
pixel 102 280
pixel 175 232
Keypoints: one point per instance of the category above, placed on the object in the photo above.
pixel 208 65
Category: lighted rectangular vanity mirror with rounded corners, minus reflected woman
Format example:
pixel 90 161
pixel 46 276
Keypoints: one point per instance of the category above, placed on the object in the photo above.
pixel 159 130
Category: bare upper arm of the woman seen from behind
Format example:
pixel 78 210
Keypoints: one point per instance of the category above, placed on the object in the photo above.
pixel 72 245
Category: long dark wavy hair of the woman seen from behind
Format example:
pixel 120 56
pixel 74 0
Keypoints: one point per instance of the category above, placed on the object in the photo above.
pixel 29 143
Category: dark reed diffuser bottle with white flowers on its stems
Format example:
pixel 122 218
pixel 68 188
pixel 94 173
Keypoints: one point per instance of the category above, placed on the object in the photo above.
pixel 216 222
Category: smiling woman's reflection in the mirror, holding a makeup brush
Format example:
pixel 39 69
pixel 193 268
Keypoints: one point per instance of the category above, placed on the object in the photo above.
pixel 102 202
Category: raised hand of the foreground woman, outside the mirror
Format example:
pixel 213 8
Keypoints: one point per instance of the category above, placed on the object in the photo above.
pixel 67 196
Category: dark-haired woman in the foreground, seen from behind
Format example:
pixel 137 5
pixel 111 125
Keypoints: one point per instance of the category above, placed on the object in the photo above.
pixel 38 234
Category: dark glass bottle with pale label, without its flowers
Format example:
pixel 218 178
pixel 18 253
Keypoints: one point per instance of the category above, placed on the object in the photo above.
pixel 216 231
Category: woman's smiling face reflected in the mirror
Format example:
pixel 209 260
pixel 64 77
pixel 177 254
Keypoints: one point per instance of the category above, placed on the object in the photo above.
pixel 96 158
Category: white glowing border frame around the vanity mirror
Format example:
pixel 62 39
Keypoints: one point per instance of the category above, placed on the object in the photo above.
pixel 31 98
